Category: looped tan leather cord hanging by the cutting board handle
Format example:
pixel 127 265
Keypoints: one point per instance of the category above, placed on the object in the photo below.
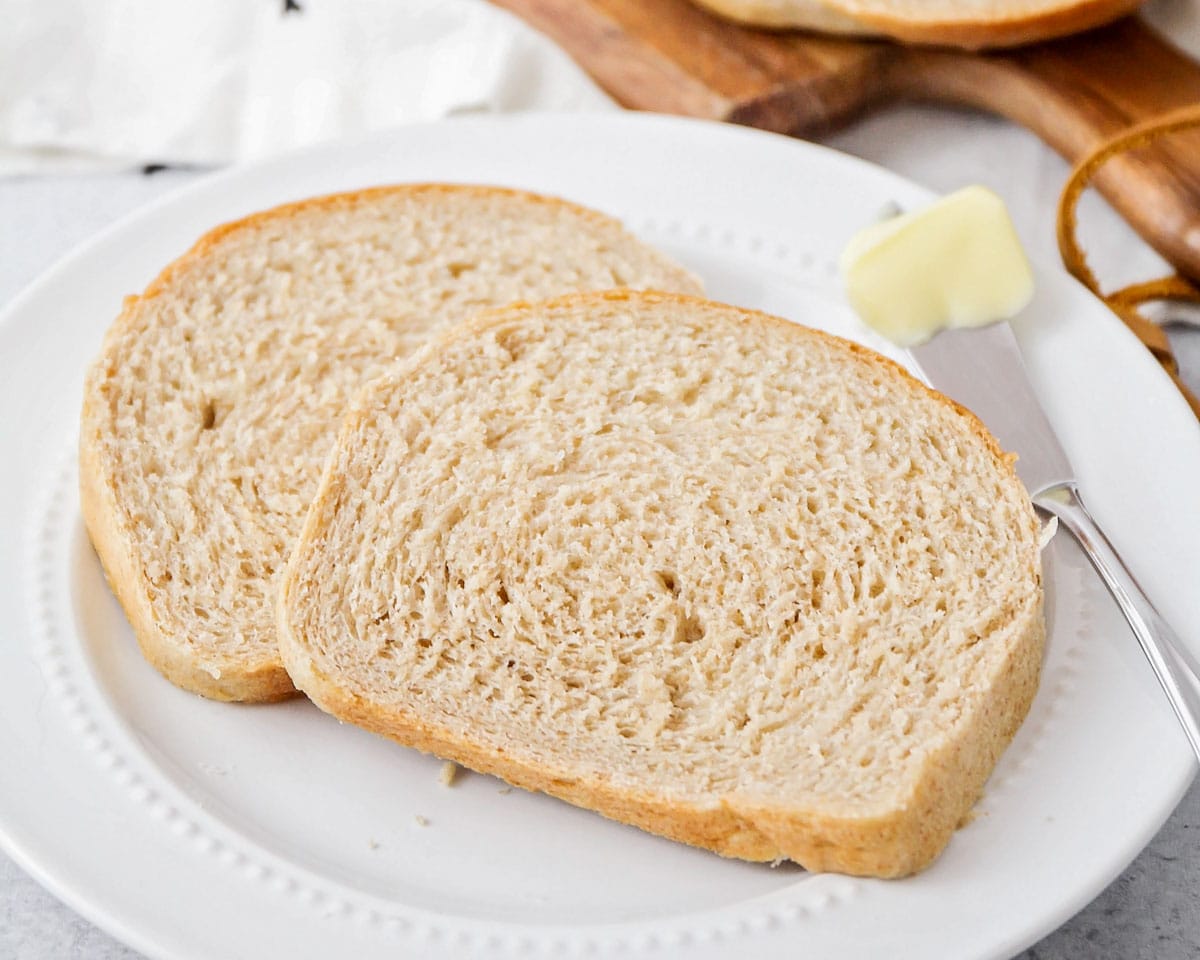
pixel 1126 303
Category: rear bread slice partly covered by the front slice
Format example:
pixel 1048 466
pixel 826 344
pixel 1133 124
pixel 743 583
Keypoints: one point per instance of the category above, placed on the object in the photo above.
pixel 218 394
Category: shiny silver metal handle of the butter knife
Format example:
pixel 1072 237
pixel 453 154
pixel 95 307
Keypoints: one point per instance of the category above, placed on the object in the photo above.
pixel 1174 667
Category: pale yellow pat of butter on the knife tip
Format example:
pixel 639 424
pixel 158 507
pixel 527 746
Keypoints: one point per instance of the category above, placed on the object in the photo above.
pixel 957 263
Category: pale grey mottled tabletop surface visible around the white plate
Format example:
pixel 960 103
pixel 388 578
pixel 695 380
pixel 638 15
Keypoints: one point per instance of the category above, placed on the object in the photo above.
pixel 1153 910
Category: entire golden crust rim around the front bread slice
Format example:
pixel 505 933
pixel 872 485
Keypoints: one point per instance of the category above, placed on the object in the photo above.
pixel 890 843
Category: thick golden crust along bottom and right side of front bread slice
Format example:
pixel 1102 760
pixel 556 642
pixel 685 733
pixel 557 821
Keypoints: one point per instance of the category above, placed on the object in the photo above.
pixel 897 844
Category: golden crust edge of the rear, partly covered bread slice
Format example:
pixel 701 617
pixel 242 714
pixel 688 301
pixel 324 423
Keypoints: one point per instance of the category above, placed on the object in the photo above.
pixel 110 524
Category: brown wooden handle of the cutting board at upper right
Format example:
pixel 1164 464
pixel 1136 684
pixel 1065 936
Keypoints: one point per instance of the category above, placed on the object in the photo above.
pixel 1077 94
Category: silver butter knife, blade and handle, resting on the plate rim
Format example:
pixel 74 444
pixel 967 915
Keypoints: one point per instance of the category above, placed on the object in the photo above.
pixel 982 369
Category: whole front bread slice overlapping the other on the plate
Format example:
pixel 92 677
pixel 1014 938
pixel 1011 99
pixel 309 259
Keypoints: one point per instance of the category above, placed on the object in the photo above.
pixel 699 569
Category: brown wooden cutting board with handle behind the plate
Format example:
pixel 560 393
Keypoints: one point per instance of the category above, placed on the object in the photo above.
pixel 671 57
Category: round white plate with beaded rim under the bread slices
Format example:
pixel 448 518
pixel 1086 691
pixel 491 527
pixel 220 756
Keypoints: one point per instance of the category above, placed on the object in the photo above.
pixel 191 829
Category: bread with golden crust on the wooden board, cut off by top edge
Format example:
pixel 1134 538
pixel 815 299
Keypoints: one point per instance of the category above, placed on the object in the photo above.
pixel 973 25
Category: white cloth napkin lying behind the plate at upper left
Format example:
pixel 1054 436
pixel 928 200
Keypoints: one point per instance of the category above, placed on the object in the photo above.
pixel 105 85
